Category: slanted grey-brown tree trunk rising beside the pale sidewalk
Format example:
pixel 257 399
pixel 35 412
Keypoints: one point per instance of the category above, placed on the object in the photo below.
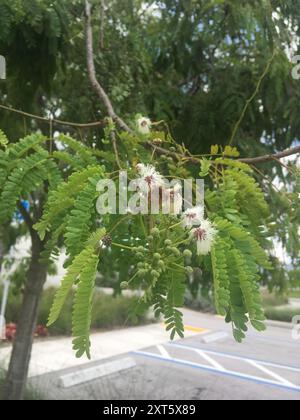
pixel 19 363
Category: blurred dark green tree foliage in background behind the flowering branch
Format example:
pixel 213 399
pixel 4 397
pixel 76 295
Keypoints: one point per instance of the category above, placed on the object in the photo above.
pixel 197 74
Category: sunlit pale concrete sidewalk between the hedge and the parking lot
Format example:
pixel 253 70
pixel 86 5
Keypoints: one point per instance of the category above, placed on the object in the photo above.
pixel 51 355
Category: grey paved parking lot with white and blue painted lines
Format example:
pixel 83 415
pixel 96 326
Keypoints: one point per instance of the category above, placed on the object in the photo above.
pixel 208 365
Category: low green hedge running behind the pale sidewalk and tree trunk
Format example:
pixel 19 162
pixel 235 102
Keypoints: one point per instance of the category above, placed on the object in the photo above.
pixel 109 312
